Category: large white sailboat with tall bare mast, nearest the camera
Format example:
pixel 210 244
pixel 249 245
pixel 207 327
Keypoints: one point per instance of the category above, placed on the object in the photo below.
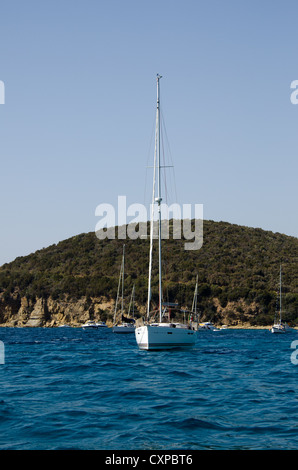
pixel 160 335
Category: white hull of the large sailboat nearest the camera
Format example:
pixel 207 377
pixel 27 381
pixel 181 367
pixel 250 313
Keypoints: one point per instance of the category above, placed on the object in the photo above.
pixel 150 337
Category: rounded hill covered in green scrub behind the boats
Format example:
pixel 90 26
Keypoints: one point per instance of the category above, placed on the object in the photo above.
pixel 237 268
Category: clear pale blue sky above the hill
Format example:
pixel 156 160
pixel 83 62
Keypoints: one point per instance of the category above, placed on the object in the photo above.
pixel 76 126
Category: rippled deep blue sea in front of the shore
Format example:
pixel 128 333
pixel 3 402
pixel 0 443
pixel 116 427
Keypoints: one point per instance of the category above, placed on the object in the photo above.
pixel 68 388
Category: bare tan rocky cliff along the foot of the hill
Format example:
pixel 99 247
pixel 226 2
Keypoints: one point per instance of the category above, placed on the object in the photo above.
pixel 24 312
